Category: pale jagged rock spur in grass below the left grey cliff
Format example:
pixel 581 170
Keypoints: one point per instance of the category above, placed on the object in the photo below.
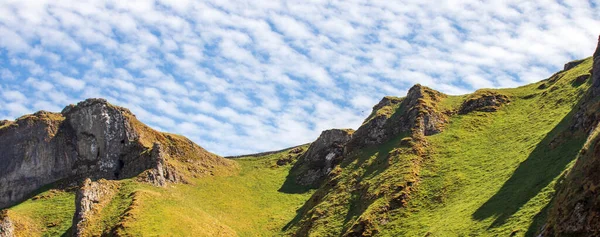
pixel 89 201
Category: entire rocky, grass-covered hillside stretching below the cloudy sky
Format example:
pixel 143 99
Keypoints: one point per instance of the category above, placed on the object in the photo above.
pixel 498 162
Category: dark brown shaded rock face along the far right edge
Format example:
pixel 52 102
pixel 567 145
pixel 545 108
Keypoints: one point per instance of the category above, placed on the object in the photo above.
pixel 576 209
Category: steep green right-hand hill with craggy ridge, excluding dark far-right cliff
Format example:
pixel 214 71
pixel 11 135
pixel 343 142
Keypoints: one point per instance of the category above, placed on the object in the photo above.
pixel 480 164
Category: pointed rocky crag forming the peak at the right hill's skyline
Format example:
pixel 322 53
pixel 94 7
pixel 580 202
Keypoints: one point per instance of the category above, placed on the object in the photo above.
pixel 417 113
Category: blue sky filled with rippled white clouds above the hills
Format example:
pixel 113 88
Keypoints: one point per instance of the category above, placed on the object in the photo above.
pixel 238 77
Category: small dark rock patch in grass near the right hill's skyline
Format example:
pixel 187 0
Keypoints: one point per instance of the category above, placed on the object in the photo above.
pixel 484 101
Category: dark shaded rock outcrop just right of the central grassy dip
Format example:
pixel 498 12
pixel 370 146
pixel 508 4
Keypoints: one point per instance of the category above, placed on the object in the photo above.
pixel 322 155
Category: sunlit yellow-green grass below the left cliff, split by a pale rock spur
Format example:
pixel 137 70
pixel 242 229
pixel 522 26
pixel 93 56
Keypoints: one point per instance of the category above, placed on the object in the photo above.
pixel 246 204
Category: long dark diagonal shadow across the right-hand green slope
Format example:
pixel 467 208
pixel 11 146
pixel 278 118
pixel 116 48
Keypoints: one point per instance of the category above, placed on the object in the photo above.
pixel 542 166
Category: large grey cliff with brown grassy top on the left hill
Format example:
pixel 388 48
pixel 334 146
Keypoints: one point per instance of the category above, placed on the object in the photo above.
pixel 91 139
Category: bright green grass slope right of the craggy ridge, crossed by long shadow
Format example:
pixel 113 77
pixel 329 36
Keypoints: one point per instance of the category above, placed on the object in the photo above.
pixel 491 174
